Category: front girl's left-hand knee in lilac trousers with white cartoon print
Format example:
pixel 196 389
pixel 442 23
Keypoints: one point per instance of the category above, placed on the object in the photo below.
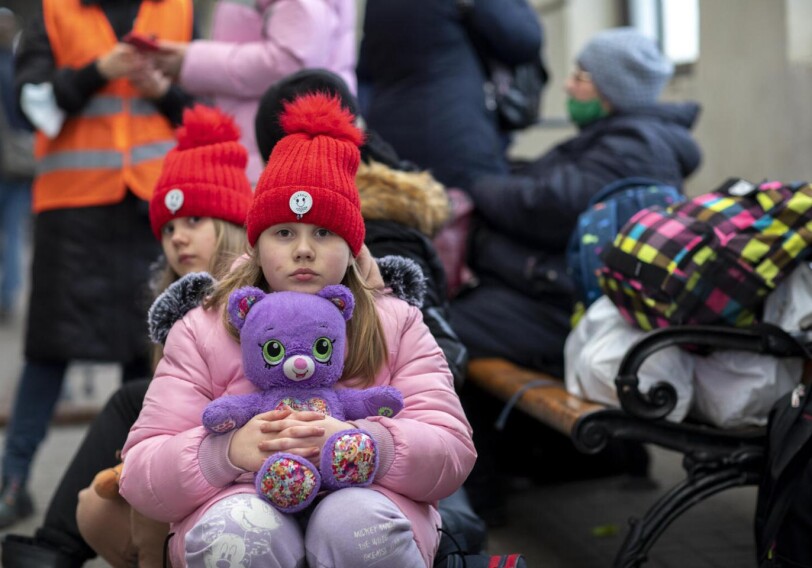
pixel 244 530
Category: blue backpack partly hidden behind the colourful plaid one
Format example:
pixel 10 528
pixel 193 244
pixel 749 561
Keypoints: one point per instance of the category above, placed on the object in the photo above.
pixel 597 226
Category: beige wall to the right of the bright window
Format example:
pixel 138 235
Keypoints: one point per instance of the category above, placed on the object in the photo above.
pixel 757 120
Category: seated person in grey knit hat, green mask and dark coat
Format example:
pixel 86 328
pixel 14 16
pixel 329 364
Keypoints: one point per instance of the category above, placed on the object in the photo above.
pixel 521 305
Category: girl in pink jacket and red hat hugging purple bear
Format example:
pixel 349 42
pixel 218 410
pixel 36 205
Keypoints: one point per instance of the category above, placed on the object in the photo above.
pixel 305 229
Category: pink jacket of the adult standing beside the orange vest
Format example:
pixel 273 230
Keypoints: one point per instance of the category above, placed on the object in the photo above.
pixel 255 43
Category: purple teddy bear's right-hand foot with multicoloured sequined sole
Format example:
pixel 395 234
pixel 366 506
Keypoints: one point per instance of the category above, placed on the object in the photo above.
pixel 348 459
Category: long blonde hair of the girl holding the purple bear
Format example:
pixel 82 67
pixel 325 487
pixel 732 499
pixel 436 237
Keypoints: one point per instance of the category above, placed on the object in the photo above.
pixel 367 350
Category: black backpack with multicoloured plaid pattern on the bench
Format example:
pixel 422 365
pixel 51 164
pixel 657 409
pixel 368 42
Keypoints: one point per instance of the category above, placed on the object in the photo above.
pixel 710 260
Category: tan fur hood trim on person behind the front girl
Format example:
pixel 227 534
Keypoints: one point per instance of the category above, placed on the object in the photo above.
pixel 414 199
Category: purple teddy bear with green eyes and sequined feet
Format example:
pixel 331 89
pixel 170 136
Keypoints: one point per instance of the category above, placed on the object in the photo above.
pixel 293 351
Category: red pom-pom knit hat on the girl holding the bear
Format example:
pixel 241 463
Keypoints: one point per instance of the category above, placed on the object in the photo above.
pixel 310 176
